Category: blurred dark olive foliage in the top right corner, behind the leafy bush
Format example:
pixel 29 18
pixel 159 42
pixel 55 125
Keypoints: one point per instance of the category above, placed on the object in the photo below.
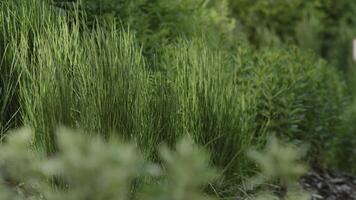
pixel 325 26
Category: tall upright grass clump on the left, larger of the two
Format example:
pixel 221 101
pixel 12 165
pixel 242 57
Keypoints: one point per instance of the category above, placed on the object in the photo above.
pixel 95 80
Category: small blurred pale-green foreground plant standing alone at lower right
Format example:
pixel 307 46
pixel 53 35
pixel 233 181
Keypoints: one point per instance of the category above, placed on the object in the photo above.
pixel 279 163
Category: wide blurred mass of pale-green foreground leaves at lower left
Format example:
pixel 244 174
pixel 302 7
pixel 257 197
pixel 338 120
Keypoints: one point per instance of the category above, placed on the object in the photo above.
pixel 89 168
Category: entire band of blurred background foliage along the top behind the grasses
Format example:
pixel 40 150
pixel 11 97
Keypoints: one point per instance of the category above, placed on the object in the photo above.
pixel 325 26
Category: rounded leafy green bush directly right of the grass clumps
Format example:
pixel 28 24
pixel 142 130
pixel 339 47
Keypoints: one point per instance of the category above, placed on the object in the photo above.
pixel 308 91
